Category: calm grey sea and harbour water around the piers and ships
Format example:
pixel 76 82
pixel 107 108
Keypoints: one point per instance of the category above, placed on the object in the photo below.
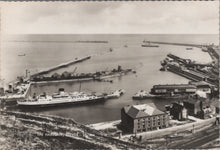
pixel 43 51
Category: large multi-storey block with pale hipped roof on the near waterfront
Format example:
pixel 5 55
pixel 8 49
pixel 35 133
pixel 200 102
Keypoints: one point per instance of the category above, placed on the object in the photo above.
pixel 141 118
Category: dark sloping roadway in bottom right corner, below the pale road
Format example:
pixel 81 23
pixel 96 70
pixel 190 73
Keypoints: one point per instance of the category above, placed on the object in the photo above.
pixel 198 140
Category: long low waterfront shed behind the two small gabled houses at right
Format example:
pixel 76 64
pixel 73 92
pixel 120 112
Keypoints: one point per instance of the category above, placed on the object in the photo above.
pixel 173 89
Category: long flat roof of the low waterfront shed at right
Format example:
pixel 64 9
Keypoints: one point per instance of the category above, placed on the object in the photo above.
pixel 172 86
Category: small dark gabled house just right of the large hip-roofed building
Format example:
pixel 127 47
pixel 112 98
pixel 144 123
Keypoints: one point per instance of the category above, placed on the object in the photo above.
pixel 178 111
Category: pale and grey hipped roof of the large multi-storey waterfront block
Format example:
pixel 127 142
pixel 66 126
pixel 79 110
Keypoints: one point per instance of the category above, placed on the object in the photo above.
pixel 143 110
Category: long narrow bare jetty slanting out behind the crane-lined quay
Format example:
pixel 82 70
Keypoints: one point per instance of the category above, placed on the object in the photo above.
pixel 77 60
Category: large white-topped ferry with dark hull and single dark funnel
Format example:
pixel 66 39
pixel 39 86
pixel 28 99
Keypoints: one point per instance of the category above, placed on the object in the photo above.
pixel 61 97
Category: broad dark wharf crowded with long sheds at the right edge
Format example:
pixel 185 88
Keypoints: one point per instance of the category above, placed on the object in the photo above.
pixel 191 70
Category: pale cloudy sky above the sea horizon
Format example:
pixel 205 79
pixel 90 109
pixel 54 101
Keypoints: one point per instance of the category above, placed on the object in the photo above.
pixel 110 17
